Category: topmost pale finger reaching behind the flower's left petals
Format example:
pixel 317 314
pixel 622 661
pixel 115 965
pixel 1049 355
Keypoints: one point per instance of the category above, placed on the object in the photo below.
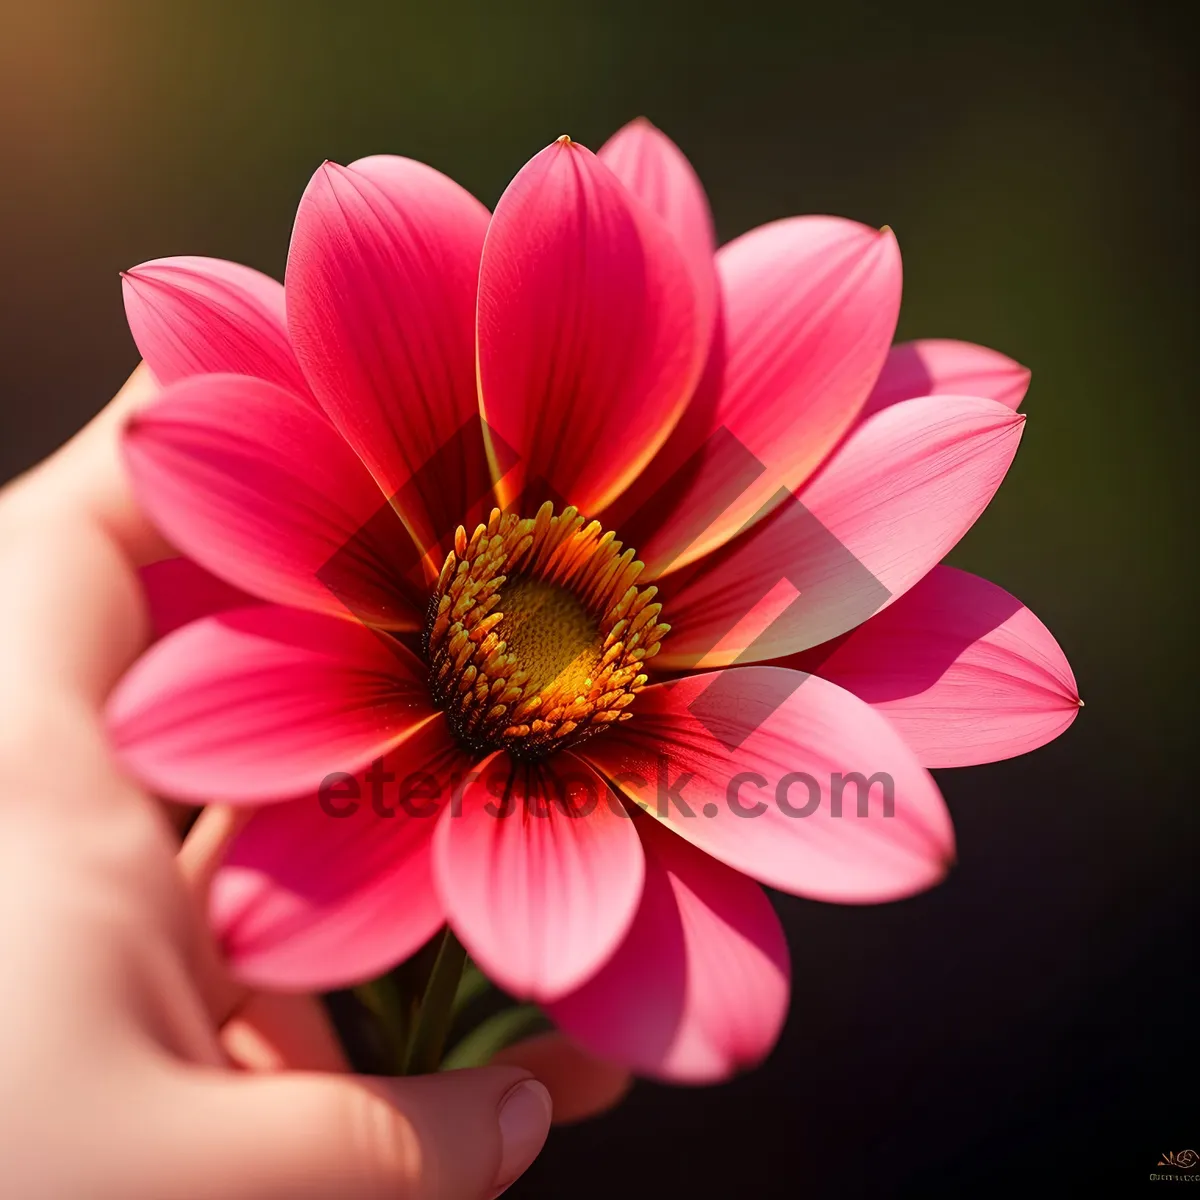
pixel 87 478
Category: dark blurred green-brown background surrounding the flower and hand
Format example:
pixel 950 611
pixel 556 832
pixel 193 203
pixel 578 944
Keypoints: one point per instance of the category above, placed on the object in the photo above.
pixel 1033 1024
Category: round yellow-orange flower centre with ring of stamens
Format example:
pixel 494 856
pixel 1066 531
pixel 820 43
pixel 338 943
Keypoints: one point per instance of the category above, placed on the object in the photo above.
pixel 537 635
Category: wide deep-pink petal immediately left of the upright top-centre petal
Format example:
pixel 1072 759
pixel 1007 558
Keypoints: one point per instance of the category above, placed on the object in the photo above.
pixel 381 284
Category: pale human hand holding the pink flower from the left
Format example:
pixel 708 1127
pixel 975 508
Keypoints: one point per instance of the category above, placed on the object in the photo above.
pixel 134 1066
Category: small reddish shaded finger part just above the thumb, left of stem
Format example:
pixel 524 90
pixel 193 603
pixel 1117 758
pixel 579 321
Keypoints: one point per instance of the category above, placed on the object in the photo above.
pixel 273 1031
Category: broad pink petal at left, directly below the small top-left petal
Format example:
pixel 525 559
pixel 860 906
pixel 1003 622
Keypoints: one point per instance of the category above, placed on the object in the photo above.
pixel 263 491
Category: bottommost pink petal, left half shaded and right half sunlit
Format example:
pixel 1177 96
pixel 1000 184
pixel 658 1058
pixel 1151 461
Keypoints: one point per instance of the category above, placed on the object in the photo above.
pixel 699 988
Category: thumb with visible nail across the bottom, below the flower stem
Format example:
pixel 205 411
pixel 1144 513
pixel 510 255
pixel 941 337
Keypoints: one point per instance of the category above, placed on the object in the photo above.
pixel 458 1136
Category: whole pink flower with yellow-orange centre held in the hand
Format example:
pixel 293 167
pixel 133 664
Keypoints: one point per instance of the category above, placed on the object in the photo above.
pixel 790 479
